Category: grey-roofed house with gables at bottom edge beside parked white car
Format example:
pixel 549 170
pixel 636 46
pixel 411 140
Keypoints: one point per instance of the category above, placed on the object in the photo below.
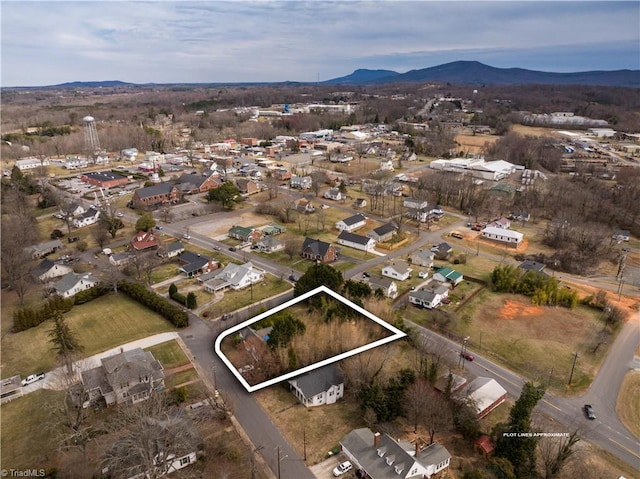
pixel 380 456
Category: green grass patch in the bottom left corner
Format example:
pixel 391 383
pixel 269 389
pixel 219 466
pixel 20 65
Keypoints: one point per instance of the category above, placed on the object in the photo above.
pixel 24 421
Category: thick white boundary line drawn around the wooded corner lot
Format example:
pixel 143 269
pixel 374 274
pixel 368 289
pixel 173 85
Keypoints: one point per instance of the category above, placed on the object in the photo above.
pixel 397 334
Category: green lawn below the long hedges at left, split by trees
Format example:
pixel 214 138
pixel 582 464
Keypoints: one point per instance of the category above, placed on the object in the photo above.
pixel 99 325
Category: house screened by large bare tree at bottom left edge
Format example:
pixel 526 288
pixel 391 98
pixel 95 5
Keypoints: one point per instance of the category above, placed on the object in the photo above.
pixel 171 439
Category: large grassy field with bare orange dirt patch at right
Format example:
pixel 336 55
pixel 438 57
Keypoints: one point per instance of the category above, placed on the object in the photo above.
pixel 536 342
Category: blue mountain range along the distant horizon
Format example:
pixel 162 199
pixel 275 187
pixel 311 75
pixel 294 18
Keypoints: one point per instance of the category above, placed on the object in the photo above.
pixel 459 72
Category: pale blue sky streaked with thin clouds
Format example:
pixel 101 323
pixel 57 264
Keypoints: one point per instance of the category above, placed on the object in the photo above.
pixel 52 42
